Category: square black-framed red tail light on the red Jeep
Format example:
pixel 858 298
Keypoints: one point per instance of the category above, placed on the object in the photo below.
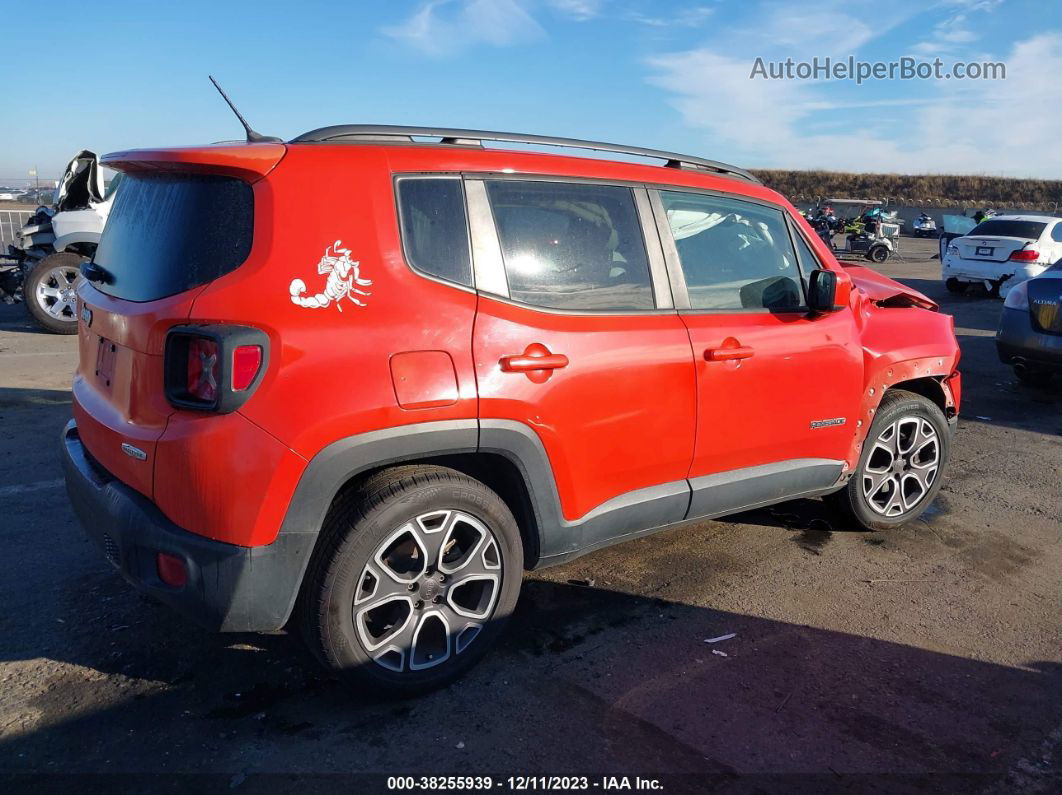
pixel 214 369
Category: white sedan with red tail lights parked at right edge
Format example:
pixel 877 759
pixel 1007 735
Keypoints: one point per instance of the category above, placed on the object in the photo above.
pixel 1002 252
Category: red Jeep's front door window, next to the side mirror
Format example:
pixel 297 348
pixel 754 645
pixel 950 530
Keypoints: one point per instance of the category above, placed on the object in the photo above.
pixel 734 255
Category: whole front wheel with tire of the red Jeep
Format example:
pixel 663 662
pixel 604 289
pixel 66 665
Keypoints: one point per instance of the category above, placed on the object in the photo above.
pixel 866 499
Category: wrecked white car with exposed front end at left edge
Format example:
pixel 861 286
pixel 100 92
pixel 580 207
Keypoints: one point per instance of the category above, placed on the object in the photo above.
pixel 48 251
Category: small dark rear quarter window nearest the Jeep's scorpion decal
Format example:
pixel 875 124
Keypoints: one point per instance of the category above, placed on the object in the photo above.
pixel 435 231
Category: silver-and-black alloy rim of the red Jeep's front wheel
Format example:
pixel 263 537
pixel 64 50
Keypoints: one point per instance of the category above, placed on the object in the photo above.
pixel 902 466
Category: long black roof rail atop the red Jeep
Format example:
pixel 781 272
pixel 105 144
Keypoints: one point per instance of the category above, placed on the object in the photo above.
pixel 397 133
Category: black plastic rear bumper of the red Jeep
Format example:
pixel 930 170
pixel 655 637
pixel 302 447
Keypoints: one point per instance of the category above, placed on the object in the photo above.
pixel 230 589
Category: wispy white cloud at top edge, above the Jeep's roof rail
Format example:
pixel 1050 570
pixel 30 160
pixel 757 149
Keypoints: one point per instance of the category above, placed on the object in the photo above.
pixel 447 27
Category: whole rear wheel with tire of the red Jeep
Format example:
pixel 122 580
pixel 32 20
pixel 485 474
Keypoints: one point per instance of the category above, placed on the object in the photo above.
pixel 399 641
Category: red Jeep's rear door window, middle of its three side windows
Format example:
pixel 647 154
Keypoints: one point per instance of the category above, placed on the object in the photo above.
pixel 572 246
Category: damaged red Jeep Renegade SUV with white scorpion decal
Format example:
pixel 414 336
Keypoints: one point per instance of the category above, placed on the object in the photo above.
pixel 367 377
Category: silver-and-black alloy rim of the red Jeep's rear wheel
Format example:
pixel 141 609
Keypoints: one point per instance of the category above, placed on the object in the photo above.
pixel 427 592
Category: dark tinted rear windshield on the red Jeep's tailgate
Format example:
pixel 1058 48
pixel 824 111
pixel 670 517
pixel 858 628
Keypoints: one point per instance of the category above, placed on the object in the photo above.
pixel 167 234
